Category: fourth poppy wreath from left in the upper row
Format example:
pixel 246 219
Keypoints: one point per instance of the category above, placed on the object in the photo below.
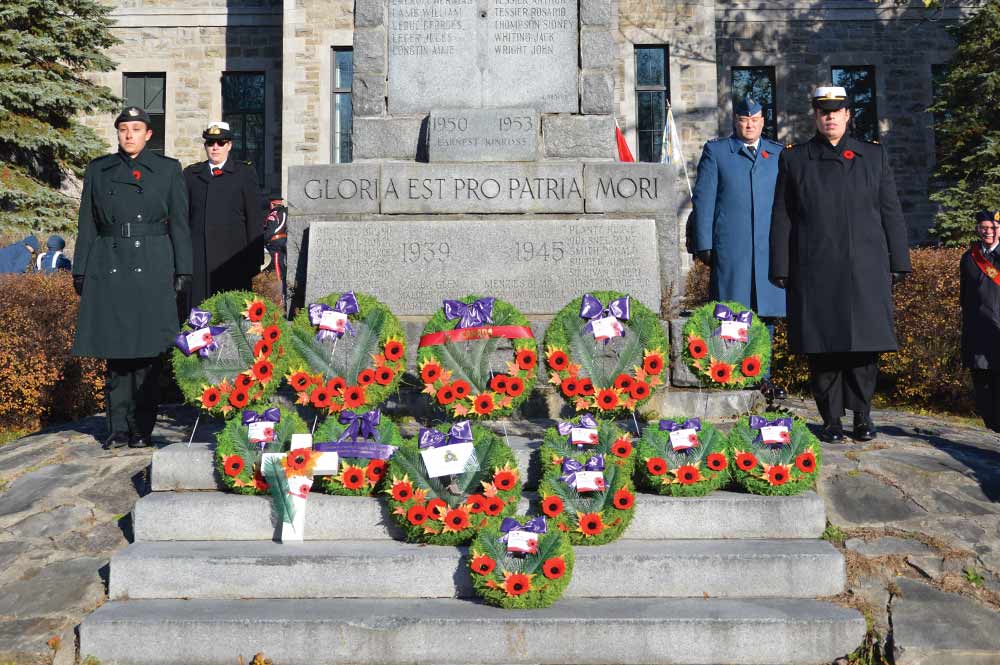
pixel 614 377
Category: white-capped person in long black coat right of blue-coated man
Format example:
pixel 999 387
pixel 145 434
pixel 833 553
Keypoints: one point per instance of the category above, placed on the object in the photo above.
pixel 838 244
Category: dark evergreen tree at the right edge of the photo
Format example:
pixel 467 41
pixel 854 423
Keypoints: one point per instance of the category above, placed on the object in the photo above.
pixel 967 128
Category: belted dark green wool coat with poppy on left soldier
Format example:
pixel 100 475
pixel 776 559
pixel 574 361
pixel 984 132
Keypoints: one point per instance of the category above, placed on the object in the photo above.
pixel 128 307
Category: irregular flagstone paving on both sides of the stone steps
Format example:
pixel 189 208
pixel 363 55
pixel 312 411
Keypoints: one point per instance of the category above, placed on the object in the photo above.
pixel 917 512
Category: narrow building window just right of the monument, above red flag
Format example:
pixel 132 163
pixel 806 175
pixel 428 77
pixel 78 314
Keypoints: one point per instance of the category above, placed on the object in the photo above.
pixel 652 95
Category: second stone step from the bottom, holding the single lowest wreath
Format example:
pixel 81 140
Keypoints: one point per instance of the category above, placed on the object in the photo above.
pixel 383 569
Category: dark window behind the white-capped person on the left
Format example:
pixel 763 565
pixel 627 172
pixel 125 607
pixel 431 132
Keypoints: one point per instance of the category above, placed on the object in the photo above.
pixel 243 109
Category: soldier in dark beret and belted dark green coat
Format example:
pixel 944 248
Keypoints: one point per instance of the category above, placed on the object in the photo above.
pixel 132 258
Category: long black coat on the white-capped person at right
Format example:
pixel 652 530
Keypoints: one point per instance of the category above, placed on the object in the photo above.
pixel 837 232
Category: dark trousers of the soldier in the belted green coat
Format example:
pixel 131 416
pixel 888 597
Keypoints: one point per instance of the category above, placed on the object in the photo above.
pixel 132 394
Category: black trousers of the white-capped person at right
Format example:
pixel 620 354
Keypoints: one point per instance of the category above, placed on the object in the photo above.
pixel 842 380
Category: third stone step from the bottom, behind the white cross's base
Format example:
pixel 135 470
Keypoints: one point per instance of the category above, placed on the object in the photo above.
pixel 222 516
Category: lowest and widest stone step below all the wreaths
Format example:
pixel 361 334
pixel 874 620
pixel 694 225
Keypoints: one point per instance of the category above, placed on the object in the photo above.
pixel 456 632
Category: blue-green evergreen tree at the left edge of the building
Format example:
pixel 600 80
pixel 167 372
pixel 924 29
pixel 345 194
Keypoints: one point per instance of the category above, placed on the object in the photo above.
pixel 46 48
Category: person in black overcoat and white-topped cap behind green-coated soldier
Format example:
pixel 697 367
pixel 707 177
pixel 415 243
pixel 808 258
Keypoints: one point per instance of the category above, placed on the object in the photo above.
pixel 227 218
